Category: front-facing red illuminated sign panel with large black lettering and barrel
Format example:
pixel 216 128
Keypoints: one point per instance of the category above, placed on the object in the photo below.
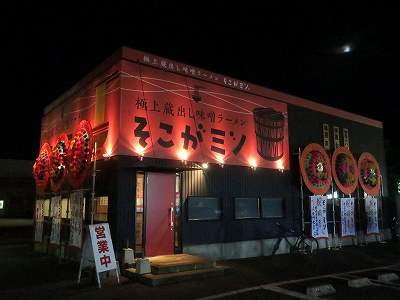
pixel 170 116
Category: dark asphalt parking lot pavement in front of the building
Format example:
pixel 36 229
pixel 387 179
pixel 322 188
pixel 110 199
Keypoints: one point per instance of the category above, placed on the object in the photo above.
pixel 26 274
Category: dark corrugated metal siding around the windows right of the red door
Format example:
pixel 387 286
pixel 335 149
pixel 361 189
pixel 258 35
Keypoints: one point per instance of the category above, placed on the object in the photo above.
pixel 227 183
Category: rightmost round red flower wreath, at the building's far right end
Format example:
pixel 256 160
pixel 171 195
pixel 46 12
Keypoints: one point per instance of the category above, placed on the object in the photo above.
pixel 370 177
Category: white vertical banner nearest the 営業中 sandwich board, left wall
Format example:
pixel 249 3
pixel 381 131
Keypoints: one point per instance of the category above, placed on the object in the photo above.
pixel 76 220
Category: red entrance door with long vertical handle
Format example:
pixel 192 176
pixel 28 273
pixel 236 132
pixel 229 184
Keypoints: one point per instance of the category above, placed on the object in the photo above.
pixel 160 195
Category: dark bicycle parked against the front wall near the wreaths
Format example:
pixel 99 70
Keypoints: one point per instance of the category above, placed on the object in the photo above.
pixel 302 244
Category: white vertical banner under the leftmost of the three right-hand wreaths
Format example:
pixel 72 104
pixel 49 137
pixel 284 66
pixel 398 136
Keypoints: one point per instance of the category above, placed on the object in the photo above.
pixel 319 224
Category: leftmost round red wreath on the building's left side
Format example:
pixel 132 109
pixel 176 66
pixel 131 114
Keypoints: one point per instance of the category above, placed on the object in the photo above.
pixel 41 169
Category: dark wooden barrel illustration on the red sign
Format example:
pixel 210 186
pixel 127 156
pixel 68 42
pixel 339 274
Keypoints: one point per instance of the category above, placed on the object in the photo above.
pixel 269 132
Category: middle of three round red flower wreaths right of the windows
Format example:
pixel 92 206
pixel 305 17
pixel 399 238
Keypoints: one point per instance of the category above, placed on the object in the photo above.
pixel 344 170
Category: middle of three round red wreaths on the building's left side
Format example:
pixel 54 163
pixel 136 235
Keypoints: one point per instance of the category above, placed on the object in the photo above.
pixel 58 162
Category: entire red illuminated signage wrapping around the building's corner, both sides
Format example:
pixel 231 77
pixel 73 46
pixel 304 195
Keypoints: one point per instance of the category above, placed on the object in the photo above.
pixel 163 109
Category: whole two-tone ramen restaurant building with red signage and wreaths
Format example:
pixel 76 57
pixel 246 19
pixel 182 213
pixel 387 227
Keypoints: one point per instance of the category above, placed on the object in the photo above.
pixel 177 159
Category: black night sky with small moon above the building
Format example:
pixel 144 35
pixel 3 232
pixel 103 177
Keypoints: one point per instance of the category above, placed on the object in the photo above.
pixel 344 55
